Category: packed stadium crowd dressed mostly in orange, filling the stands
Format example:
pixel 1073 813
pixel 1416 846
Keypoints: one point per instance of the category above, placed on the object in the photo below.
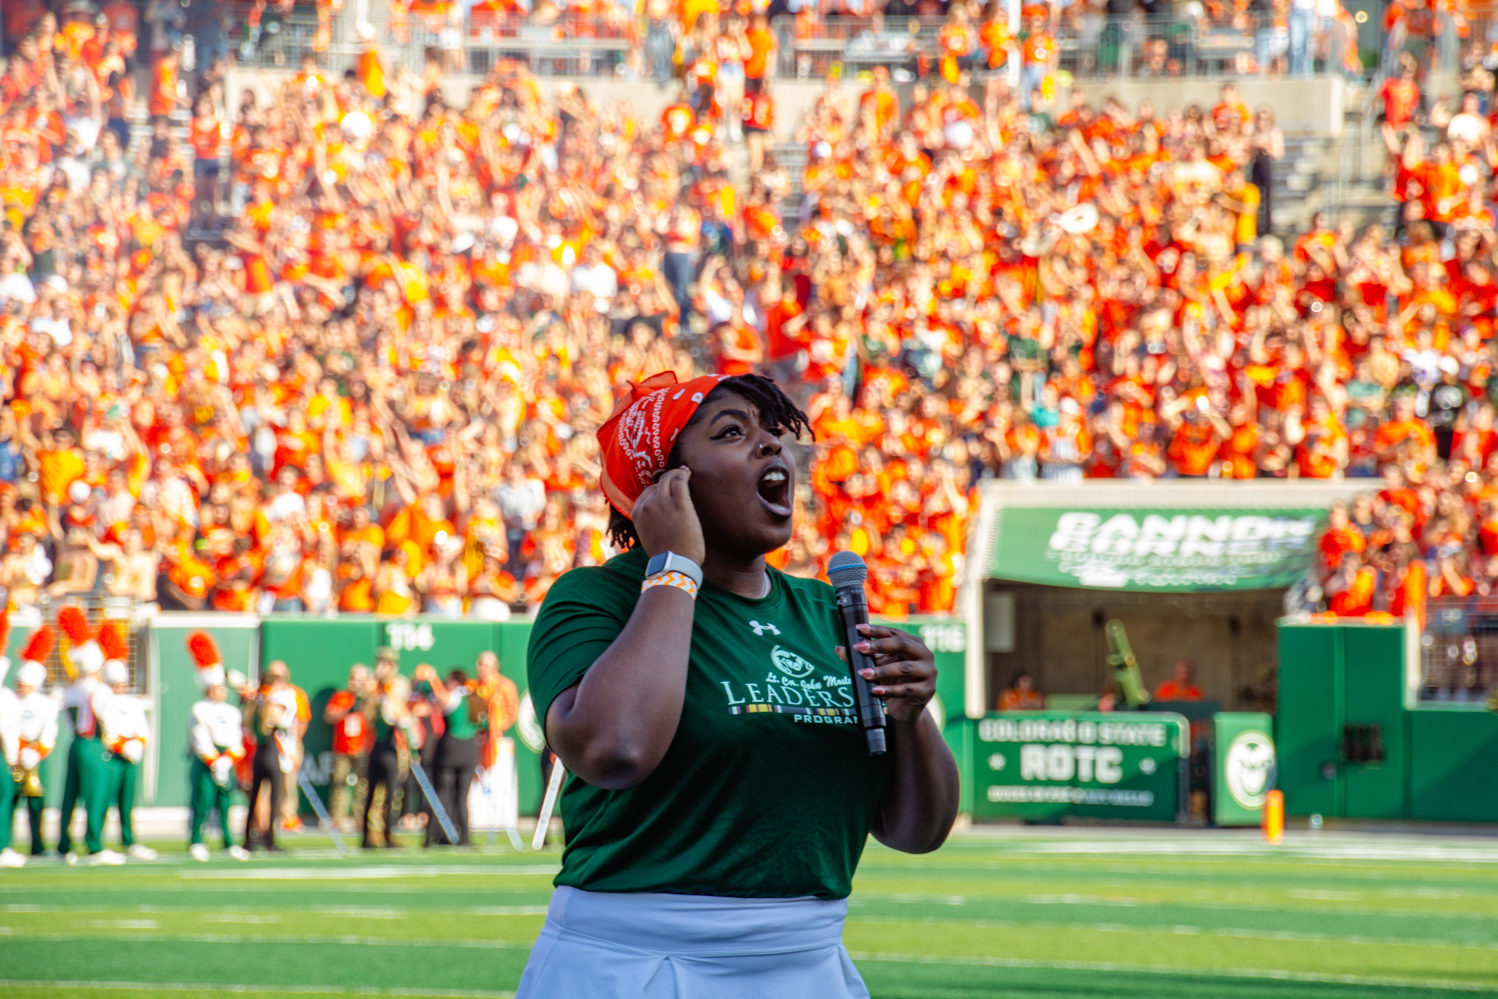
pixel 377 393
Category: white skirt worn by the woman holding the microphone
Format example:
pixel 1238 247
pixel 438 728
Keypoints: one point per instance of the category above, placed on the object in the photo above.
pixel 609 946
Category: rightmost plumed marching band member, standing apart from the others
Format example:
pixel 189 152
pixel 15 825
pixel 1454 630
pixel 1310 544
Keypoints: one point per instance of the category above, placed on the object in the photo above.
pixel 216 736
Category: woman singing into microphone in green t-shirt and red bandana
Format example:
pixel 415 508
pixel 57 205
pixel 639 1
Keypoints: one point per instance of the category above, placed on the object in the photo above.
pixel 721 787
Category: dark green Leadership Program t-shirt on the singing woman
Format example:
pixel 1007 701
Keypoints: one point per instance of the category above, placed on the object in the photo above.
pixel 768 790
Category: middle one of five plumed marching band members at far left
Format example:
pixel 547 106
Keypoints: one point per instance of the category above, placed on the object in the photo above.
pixel 89 771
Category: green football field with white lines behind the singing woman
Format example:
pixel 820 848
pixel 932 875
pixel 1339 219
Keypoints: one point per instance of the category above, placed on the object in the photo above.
pixel 1012 913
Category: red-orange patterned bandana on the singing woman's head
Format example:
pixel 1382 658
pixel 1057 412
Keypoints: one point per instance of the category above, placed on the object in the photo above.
pixel 639 437
